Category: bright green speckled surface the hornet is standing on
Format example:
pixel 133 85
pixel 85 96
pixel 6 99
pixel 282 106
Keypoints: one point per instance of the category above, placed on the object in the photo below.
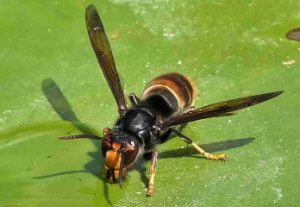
pixel 49 76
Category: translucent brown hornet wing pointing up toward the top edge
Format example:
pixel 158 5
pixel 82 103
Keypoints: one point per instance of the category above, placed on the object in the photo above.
pixel 104 55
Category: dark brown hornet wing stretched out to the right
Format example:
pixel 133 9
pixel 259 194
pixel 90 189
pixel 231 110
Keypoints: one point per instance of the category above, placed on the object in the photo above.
pixel 223 108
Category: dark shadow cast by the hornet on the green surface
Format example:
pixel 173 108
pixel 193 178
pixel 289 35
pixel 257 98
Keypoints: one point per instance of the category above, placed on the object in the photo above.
pixel 63 108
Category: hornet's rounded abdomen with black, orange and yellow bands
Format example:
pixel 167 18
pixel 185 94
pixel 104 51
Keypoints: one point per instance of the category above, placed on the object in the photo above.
pixel 170 93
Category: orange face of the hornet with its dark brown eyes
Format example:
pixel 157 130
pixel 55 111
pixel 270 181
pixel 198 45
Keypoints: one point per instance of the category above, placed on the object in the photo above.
pixel 111 152
